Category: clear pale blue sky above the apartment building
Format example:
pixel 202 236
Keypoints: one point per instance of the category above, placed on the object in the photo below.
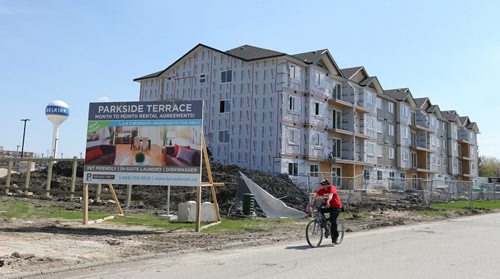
pixel 90 51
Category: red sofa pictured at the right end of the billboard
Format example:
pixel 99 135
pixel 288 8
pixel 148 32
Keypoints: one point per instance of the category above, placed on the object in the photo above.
pixel 181 156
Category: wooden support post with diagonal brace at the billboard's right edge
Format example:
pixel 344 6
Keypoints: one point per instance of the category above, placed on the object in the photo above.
pixel 212 185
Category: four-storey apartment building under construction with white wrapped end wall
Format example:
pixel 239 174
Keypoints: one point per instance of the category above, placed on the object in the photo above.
pixel 303 115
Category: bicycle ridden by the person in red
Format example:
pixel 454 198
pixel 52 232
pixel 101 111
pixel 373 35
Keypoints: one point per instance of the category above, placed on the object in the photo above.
pixel 320 226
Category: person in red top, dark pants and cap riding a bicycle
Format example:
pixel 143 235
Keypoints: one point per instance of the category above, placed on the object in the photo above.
pixel 333 205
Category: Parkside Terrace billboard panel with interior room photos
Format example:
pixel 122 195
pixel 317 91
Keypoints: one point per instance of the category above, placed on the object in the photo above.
pixel 144 143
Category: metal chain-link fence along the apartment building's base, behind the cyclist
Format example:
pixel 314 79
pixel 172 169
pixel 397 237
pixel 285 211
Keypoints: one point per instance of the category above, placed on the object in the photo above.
pixel 355 190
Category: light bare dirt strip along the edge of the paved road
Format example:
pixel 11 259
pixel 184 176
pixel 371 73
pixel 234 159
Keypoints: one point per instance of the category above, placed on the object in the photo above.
pixel 43 245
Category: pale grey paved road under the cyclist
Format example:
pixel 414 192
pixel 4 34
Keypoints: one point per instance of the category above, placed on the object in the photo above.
pixel 467 247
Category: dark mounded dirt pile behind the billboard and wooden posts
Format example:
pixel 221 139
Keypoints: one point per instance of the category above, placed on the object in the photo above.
pixel 155 197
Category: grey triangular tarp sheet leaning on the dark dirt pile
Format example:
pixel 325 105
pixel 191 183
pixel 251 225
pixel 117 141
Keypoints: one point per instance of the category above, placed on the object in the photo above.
pixel 270 205
